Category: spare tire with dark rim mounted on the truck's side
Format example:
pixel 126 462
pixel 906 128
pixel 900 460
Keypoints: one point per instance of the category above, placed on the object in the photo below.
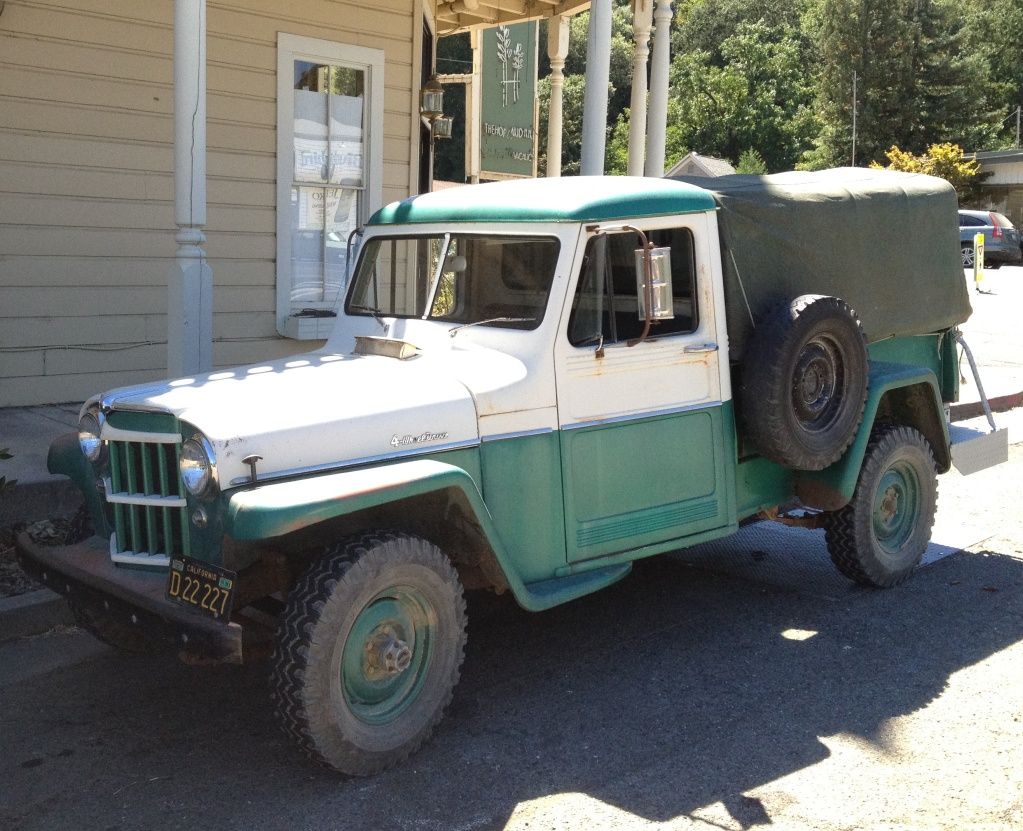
pixel 804 385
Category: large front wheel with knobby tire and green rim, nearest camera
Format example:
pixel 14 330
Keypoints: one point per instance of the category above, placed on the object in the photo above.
pixel 369 651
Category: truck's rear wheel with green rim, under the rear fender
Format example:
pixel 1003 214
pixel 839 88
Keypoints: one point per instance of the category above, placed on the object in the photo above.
pixel 879 539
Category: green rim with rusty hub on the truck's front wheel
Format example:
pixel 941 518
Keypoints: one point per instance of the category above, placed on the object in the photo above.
pixel 387 655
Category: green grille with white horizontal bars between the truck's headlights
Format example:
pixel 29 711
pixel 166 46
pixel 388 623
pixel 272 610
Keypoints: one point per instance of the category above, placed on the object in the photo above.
pixel 148 498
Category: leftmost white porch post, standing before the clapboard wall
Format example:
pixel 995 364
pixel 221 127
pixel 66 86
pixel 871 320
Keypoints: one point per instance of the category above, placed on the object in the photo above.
pixel 190 283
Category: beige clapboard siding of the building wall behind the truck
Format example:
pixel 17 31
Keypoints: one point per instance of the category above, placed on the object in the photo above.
pixel 87 179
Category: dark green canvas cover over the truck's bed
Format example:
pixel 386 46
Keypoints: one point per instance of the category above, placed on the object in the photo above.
pixel 886 243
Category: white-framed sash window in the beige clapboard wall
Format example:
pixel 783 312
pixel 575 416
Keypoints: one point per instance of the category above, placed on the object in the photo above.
pixel 330 167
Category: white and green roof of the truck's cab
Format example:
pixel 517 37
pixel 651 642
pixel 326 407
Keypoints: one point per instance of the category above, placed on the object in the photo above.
pixel 575 199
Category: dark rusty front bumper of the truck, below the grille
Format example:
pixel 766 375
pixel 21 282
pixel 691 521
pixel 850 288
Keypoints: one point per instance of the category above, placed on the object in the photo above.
pixel 84 574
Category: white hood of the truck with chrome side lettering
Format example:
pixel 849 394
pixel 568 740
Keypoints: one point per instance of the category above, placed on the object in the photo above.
pixel 316 412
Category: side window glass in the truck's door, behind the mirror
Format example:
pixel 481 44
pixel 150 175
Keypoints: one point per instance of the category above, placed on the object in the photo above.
pixel 606 305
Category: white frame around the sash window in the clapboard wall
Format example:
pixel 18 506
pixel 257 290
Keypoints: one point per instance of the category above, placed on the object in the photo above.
pixel 371 62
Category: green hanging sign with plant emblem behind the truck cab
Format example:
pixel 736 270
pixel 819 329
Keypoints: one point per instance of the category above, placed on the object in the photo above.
pixel 508 124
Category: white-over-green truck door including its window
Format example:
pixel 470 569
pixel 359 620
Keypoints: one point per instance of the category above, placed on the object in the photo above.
pixel 642 432
